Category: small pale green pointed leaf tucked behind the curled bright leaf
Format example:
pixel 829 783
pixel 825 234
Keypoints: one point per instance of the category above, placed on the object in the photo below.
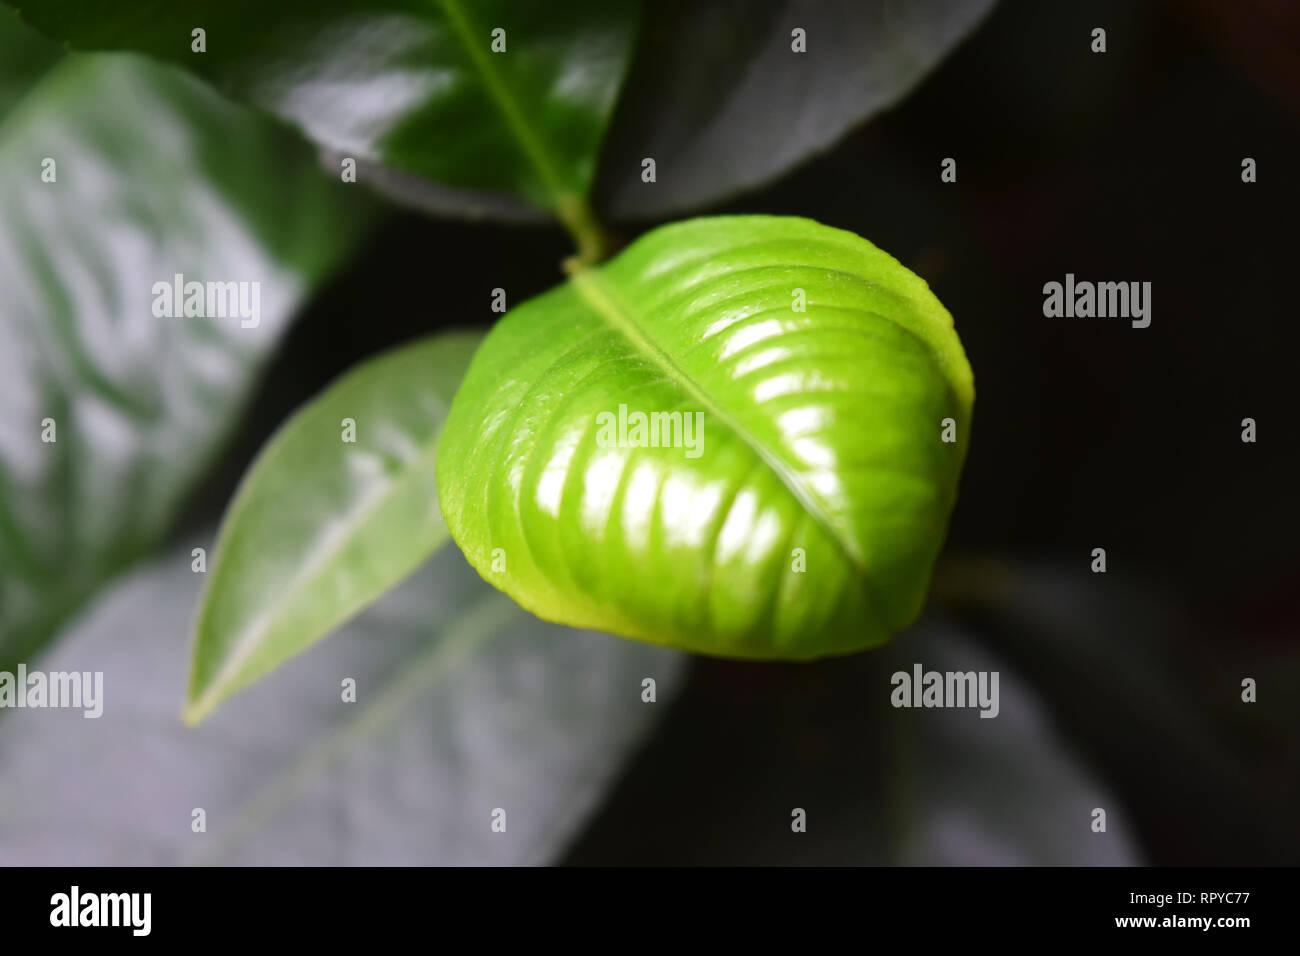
pixel 339 508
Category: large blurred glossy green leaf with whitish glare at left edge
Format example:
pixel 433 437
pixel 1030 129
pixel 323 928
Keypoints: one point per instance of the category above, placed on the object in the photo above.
pixel 120 175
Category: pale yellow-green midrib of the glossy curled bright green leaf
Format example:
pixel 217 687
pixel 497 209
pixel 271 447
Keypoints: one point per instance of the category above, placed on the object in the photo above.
pixel 600 296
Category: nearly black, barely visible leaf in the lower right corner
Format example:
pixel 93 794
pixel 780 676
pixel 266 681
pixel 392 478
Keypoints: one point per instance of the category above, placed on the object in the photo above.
pixel 1139 685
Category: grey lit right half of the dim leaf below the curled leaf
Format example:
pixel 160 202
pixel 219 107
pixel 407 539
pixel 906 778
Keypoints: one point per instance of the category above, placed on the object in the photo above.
pixel 963 790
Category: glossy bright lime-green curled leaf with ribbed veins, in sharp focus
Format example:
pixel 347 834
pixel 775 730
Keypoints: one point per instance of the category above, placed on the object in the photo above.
pixel 729 440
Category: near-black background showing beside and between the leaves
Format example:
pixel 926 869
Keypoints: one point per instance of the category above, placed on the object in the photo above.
pixel 1121 167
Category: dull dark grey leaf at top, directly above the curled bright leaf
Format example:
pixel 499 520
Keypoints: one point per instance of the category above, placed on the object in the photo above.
pixel 722 103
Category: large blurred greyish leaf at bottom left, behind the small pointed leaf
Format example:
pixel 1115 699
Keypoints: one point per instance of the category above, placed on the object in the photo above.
pixel 465 704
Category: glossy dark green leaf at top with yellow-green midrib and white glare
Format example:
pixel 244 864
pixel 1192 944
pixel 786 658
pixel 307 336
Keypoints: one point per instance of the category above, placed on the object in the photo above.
pixel 415 85
